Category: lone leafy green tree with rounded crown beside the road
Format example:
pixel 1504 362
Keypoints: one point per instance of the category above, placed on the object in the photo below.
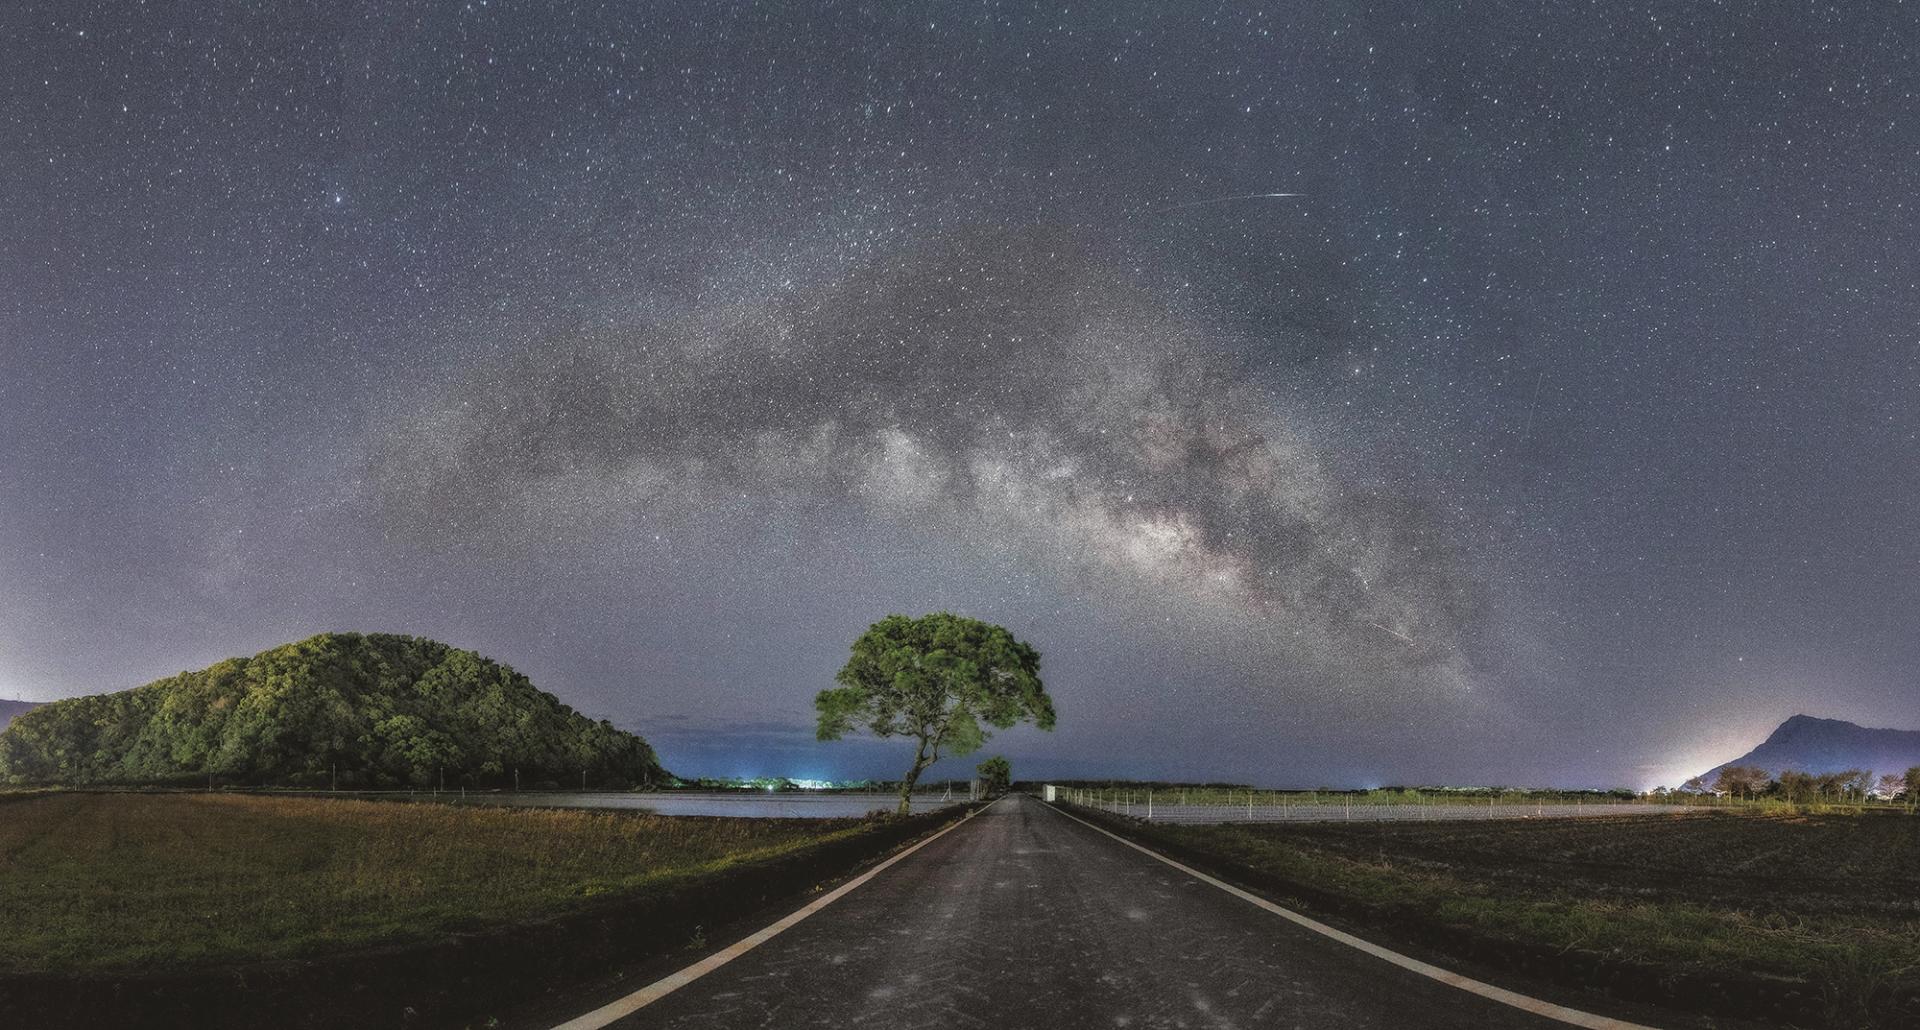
pixel 936 679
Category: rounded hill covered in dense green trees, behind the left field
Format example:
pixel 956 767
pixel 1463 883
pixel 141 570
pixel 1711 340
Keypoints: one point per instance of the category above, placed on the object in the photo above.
pixel 379 710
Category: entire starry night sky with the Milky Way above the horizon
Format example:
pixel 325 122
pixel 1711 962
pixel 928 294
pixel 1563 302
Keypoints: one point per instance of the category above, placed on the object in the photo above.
pixel 1560 429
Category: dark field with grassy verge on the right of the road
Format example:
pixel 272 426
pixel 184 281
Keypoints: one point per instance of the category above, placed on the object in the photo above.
pixel 1827 900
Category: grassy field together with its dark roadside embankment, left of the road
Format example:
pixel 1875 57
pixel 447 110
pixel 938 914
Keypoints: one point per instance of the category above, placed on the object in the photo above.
pixel 218 910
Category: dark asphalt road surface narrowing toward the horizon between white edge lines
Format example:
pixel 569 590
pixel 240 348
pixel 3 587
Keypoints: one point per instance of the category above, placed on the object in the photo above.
pixel 1024 918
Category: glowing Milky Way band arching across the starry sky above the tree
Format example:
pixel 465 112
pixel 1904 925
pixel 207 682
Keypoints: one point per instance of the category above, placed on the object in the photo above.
pixel 1001 387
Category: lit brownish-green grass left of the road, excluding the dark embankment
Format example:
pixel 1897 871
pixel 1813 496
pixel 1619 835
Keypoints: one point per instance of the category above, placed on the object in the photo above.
pixel 128 881
